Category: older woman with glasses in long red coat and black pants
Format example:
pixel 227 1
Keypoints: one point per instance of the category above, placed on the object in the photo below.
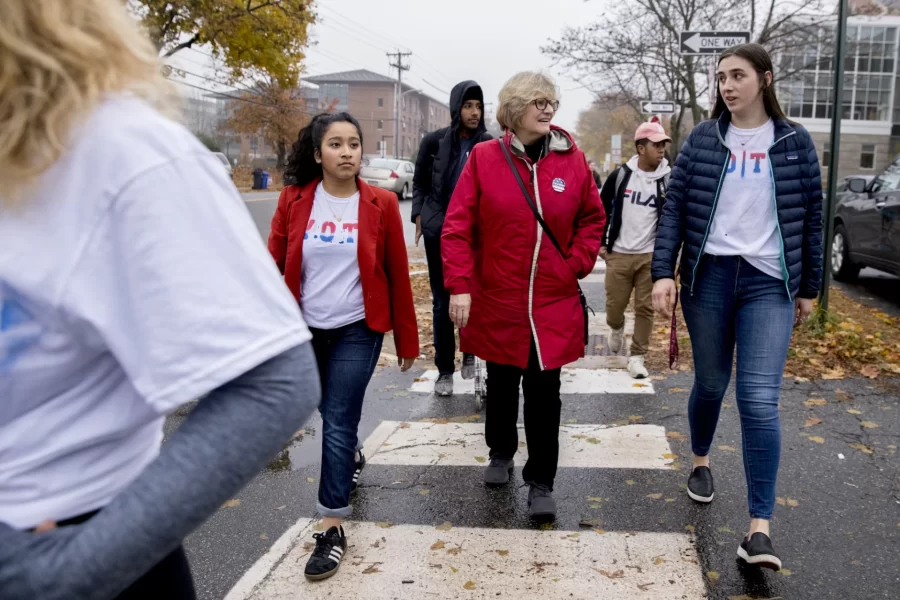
pixel 514 294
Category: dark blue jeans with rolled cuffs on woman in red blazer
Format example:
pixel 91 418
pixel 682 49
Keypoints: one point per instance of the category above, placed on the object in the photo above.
pixel 346 358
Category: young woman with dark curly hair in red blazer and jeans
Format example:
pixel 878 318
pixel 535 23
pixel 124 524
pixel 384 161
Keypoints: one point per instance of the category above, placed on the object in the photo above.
pixel 339 244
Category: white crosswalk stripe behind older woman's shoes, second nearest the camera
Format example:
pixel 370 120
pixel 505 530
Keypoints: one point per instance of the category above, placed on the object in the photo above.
pixel 462 444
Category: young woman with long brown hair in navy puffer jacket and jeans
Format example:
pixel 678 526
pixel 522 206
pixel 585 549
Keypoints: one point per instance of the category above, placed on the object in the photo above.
pixel 745 202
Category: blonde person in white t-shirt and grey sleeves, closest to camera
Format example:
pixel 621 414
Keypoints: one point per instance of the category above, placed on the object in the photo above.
pixel 132 281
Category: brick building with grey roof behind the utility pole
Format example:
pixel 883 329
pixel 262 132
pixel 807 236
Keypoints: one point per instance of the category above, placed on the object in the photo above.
pixel 370 97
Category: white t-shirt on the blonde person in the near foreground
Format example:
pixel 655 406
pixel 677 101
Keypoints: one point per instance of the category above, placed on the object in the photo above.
pixel 131 282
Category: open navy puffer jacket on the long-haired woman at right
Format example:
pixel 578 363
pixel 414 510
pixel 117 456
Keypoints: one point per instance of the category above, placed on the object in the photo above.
pixel 694 191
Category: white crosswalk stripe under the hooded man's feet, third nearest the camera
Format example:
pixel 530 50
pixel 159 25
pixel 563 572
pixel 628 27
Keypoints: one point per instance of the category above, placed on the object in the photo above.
pixel 574 381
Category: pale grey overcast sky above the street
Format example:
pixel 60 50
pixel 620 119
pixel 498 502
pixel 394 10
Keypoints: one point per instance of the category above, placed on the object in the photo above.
pixel 489 41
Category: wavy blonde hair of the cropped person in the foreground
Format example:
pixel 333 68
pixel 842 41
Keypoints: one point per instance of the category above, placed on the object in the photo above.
pixel 58 60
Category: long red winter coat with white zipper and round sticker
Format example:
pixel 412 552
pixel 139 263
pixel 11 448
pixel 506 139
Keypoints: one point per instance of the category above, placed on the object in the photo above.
pixel 494 249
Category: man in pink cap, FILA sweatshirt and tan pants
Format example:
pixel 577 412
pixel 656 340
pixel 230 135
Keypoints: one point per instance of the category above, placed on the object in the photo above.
pixel 633 197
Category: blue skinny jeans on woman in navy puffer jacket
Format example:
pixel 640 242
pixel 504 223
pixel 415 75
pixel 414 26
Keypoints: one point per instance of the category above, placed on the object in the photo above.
pixel 735 304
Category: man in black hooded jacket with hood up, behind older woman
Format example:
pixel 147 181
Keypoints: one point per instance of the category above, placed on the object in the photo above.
pixel 442 156
